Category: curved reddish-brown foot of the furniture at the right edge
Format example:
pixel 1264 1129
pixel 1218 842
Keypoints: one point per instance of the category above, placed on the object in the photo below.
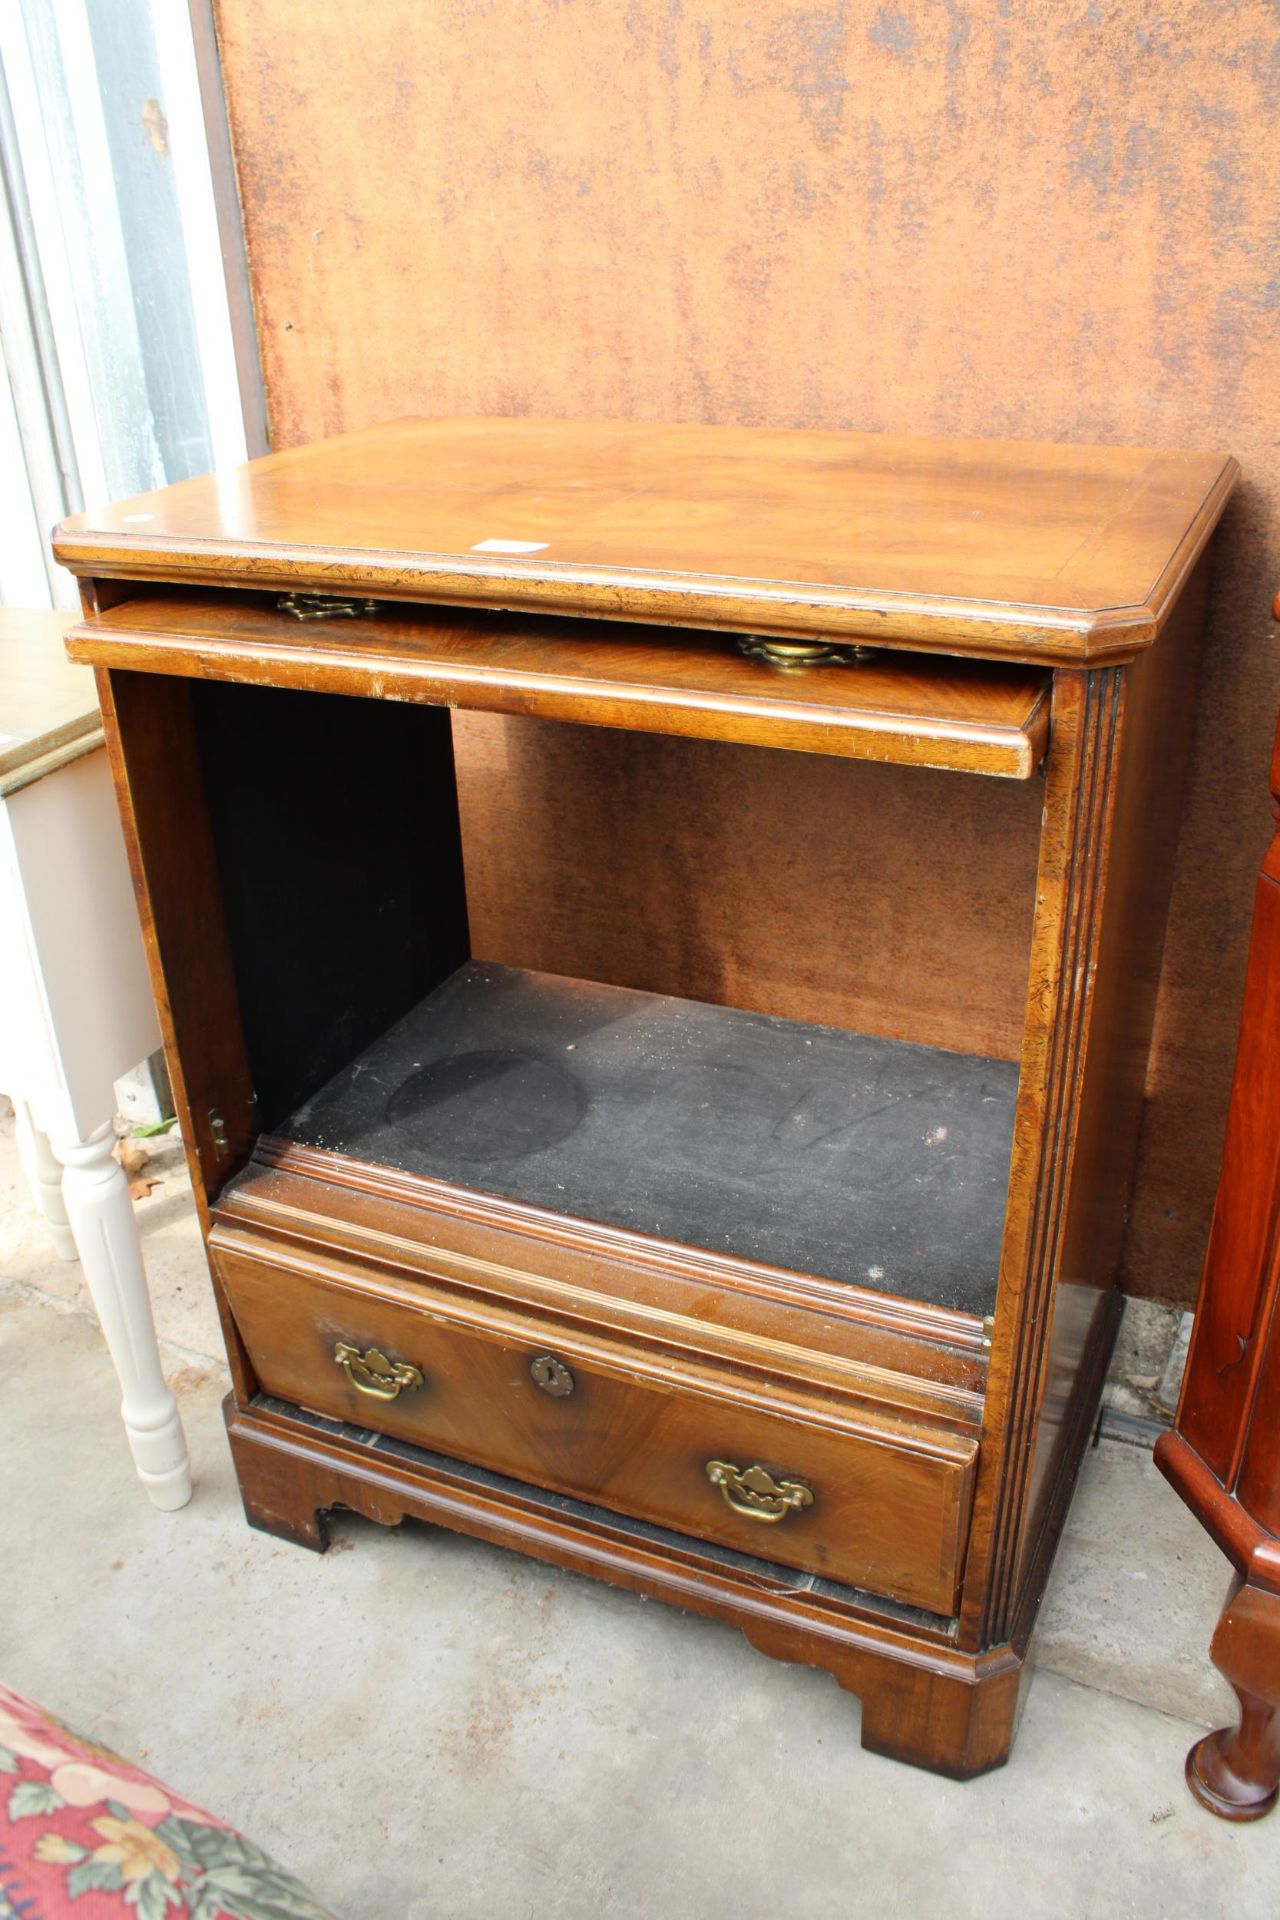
pixel 1237 1771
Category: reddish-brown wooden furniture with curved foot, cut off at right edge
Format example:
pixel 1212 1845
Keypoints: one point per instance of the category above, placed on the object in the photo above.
pixel 1223 1452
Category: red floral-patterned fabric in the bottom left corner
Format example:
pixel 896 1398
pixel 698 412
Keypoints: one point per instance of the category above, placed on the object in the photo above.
pixel 85 1835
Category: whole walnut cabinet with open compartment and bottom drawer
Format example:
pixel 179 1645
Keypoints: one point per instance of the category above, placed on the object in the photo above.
pixel 657 936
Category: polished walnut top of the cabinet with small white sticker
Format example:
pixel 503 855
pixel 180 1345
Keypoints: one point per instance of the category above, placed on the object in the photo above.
pixel 999 546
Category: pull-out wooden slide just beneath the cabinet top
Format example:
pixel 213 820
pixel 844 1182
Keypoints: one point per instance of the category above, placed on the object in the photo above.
pixel 962 715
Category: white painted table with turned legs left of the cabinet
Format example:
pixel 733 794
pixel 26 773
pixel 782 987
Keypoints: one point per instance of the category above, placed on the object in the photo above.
pixel 76 1009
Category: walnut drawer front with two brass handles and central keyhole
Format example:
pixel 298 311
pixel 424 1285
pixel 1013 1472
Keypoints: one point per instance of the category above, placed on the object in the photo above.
pixel 782 1474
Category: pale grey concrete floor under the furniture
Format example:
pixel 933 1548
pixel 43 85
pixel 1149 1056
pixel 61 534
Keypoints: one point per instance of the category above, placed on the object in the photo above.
pixel 429 1727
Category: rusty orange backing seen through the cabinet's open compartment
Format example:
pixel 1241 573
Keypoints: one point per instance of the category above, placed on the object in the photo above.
pixel 884 900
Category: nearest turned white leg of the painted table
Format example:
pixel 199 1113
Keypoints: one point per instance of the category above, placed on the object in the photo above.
pixel 107 1236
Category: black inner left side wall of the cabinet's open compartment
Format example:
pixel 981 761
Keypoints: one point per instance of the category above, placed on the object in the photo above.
pixel 337 836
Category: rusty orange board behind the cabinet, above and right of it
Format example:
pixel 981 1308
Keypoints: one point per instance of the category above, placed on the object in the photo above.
pixel 1049 220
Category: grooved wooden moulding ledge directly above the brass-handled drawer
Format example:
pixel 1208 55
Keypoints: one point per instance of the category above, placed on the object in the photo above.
pixel 884 1355
